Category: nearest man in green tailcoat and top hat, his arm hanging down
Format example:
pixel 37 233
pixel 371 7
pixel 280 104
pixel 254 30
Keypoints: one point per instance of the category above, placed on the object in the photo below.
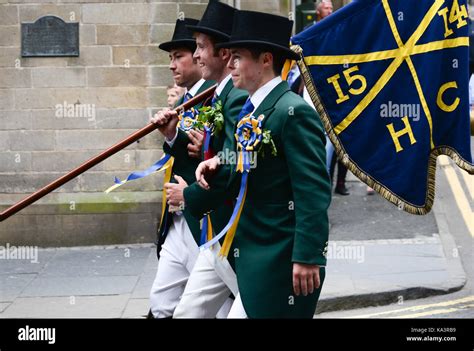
pixel 282 235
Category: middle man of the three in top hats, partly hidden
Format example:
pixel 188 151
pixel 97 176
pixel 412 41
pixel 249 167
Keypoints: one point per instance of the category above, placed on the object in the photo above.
pixel 212 280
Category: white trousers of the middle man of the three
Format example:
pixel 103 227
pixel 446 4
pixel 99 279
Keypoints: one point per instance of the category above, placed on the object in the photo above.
pixel 209 287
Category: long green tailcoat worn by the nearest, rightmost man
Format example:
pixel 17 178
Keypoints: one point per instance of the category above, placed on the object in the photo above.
pixel 284 219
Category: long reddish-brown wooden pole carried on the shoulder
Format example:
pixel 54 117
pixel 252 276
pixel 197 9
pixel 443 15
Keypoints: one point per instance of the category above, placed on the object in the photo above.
pixel 99 158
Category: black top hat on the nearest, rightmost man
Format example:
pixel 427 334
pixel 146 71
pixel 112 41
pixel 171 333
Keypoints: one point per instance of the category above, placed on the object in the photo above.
pixel 262 31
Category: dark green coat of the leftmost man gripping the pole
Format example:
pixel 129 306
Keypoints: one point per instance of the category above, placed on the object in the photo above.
pixel 184 166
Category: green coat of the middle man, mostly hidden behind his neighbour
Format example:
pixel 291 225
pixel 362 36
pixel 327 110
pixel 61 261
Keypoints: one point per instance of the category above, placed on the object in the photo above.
pixel 232 101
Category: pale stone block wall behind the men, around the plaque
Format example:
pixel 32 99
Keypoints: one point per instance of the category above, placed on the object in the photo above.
pixel 56 113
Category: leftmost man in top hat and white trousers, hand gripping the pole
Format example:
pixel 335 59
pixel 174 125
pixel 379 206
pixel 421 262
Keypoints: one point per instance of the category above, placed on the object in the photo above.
pixel 179 233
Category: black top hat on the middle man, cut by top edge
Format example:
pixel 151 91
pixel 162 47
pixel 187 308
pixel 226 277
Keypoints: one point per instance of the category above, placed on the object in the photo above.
pixel 216 21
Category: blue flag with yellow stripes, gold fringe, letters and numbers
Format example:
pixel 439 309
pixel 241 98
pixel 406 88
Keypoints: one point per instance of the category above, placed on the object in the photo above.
pixel 389 79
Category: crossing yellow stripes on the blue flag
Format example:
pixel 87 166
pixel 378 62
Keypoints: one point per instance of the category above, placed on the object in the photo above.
pixel 400 55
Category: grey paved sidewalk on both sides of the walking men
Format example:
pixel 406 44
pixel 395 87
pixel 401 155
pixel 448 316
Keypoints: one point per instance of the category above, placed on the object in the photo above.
pixel 377 255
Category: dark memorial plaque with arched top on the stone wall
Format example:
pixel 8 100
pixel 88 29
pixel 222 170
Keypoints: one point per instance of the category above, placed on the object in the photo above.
pixel 49 36
